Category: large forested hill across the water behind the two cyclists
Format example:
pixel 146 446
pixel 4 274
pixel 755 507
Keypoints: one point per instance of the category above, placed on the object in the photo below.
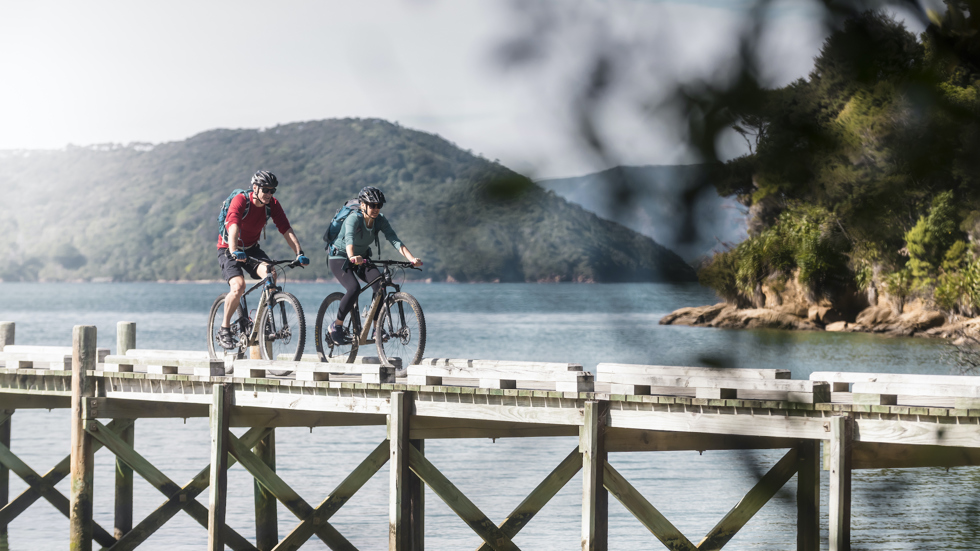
pixel 144 212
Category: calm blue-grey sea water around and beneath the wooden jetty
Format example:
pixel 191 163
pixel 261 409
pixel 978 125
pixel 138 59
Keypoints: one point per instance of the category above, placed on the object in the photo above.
pixel 893 509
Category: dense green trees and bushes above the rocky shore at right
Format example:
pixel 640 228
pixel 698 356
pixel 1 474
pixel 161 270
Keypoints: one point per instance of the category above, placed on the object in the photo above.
pixel 880 138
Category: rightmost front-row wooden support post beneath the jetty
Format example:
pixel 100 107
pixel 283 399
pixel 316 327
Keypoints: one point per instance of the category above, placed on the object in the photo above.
pixel 841 435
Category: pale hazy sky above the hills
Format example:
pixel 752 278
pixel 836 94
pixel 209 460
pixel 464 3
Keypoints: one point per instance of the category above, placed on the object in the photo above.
pixel 154 71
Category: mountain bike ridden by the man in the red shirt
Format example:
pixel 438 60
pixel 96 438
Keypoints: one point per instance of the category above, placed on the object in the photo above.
pixel 278 329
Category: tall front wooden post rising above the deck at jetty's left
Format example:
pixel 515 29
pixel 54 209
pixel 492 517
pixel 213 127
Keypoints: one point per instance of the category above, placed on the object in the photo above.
pixel 83 359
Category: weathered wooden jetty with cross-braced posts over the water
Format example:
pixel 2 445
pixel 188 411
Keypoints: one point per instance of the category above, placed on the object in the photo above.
pixel 862 421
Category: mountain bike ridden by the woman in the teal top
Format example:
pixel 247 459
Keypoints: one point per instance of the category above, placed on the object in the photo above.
pixel 396 317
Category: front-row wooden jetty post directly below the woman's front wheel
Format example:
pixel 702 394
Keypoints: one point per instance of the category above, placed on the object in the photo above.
pixel 399 500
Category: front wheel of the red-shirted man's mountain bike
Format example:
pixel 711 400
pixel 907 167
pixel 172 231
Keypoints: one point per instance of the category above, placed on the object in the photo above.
pixel 282 333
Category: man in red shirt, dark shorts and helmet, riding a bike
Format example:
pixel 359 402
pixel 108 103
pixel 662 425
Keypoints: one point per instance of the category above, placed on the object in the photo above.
pixel 241 252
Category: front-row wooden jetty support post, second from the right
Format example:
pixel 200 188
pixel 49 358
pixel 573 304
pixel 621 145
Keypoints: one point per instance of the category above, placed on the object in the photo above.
pixel 595 497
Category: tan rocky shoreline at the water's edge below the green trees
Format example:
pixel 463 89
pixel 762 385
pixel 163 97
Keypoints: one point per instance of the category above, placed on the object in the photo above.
pixel 913 321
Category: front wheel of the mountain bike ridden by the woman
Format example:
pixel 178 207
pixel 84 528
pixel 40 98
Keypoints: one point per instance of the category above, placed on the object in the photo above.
pixel 400 333
